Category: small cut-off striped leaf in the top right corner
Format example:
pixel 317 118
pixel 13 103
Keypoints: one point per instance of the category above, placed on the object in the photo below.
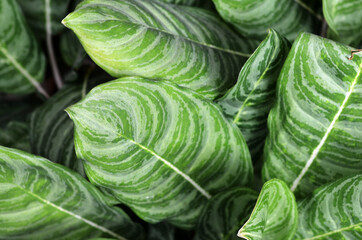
pixel 344 19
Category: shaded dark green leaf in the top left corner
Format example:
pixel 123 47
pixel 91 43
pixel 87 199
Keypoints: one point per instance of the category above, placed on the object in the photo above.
pixel 22 63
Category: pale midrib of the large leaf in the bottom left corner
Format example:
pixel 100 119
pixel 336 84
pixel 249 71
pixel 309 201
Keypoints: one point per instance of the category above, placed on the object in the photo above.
pixel 92 224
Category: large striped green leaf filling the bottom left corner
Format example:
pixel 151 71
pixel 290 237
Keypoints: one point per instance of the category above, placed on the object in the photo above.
pixel 44 200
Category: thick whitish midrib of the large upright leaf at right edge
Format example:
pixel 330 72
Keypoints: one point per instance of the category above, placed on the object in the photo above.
pixel 328 131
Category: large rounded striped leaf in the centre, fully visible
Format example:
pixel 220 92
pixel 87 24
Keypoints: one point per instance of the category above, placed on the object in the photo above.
pixel 161 149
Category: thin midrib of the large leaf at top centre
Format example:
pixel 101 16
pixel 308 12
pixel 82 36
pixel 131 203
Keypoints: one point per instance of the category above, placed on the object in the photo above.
pixel 174 35
